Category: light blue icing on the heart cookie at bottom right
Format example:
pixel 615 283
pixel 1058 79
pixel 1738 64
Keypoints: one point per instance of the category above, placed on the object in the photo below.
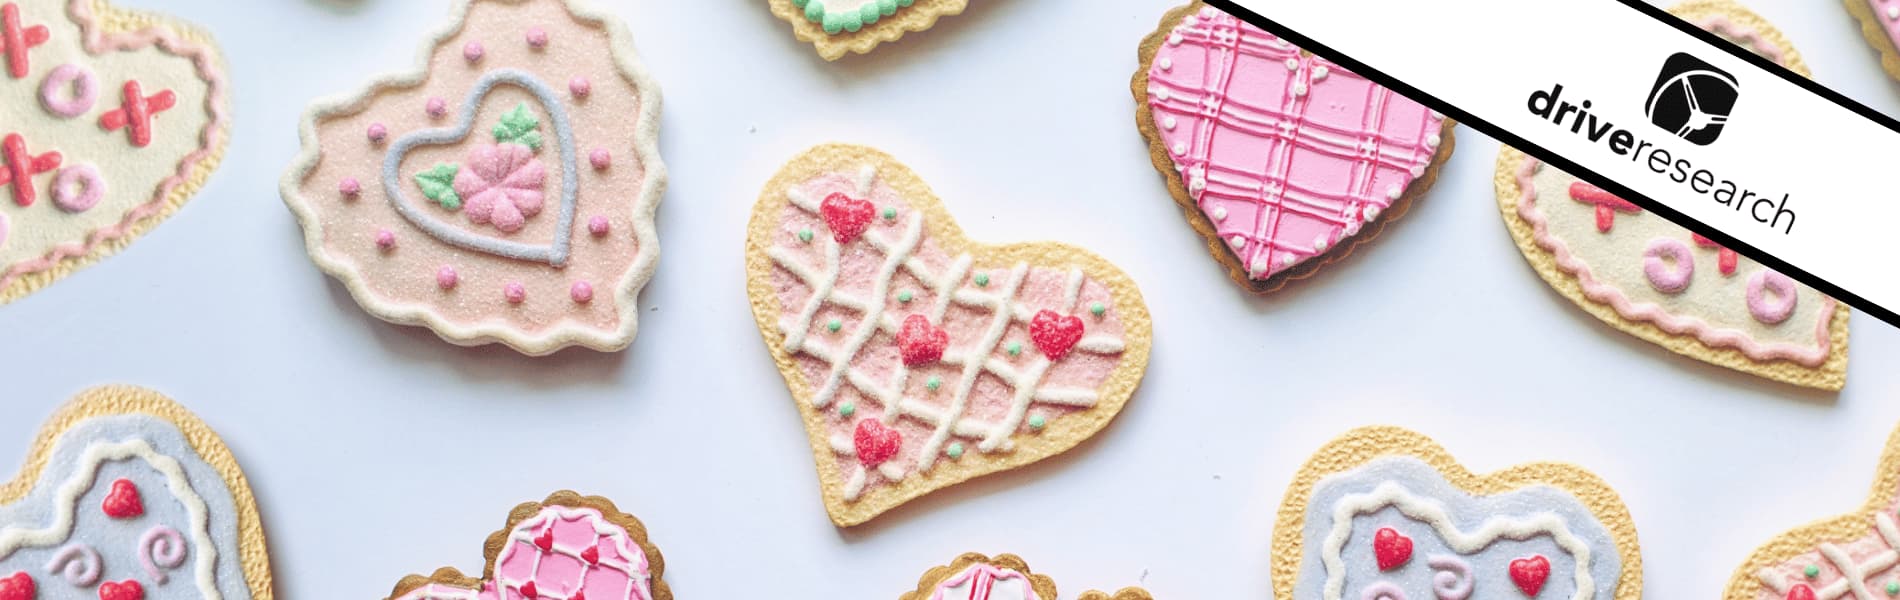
pixel 1491 569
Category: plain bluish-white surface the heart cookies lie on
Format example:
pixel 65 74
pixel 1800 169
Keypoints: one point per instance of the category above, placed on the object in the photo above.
pixel 381 451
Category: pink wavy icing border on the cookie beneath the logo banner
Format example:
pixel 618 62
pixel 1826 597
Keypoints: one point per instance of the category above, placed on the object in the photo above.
pixel 1648 312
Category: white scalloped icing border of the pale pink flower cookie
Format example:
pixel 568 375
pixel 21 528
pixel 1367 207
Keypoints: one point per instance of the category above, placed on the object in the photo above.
pixel 647 147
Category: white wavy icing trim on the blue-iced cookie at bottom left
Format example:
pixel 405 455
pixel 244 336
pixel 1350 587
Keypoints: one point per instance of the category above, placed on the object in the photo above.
pixel 67 497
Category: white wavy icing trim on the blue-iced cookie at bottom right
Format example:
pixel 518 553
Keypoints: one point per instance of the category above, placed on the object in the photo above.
pixel 1435 516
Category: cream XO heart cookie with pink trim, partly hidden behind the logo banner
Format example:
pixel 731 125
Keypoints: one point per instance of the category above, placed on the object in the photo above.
pixel 1663 284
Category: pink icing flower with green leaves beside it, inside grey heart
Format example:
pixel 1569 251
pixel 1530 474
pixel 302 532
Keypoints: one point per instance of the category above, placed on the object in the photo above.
pixel 503 185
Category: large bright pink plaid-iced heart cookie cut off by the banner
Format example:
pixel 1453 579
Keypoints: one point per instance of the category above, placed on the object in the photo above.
pixel 1282 160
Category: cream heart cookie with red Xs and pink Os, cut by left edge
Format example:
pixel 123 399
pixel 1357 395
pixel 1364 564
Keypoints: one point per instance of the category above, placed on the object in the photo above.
pixel 115 121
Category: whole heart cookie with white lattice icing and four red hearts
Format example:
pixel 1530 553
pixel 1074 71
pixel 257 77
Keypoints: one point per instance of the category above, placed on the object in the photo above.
pixel 919 358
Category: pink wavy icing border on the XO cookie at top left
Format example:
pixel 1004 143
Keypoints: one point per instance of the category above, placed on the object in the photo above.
pixel 162 37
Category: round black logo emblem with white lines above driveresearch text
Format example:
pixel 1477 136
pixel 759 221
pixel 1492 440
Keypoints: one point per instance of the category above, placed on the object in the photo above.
pixel 1692 100
